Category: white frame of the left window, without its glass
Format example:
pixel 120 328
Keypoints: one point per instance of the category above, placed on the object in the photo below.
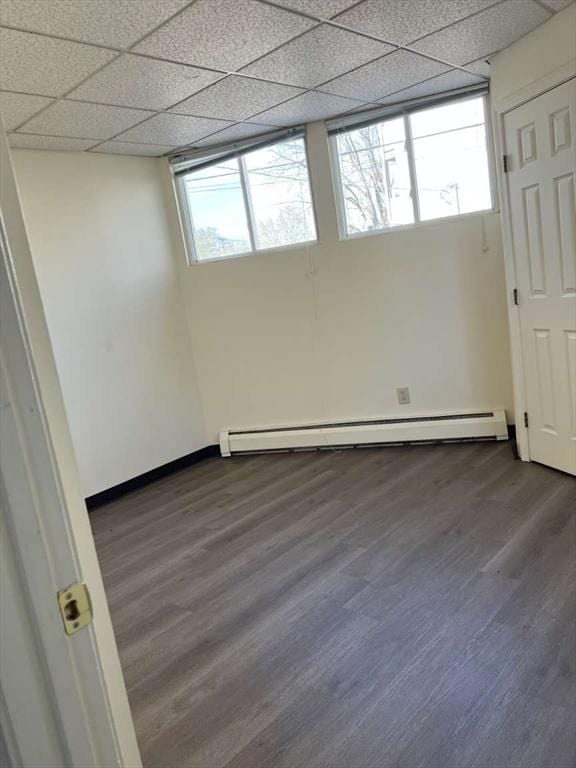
pixel 187 219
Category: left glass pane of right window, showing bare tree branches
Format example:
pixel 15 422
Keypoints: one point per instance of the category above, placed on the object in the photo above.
pixel 375 177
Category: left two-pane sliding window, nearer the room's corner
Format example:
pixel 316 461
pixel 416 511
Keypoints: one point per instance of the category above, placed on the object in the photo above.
pixel 256 200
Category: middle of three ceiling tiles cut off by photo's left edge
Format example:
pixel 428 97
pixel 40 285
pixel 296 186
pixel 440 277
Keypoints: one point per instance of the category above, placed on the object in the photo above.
pixel 45 66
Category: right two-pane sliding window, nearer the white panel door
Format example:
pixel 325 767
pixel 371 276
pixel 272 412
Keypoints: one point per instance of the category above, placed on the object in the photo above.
pixel 429 164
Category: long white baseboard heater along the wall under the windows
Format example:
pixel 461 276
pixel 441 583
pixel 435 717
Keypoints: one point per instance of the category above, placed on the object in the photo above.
pixel 444 427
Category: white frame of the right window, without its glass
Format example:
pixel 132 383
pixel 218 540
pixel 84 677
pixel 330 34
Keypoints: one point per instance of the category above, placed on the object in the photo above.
pixel 418 221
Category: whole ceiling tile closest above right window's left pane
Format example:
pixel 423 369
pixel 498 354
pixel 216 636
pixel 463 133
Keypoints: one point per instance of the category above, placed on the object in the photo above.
pixel 389 74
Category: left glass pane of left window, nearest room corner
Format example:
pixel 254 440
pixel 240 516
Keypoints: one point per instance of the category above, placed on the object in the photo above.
pixel 217 210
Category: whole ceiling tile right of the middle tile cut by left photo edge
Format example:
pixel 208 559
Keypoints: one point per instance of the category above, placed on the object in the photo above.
pixel 134 81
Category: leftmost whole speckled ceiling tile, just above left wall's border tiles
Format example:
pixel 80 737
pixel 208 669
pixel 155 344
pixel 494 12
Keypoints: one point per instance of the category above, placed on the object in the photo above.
pixel 83 121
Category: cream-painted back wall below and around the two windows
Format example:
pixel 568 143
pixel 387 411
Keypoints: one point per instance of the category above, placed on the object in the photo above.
pixel 330 331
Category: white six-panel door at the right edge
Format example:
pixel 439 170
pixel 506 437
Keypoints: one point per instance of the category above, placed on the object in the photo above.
pixel 541 155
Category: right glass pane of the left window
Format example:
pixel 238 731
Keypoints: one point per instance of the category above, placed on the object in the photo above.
pixel 277 181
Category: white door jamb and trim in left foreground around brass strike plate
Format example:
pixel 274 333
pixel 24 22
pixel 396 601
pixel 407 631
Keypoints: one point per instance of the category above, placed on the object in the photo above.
pixel 62 697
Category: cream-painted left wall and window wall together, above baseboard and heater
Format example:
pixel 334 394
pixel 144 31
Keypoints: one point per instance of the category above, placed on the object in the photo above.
pixel 325 332
